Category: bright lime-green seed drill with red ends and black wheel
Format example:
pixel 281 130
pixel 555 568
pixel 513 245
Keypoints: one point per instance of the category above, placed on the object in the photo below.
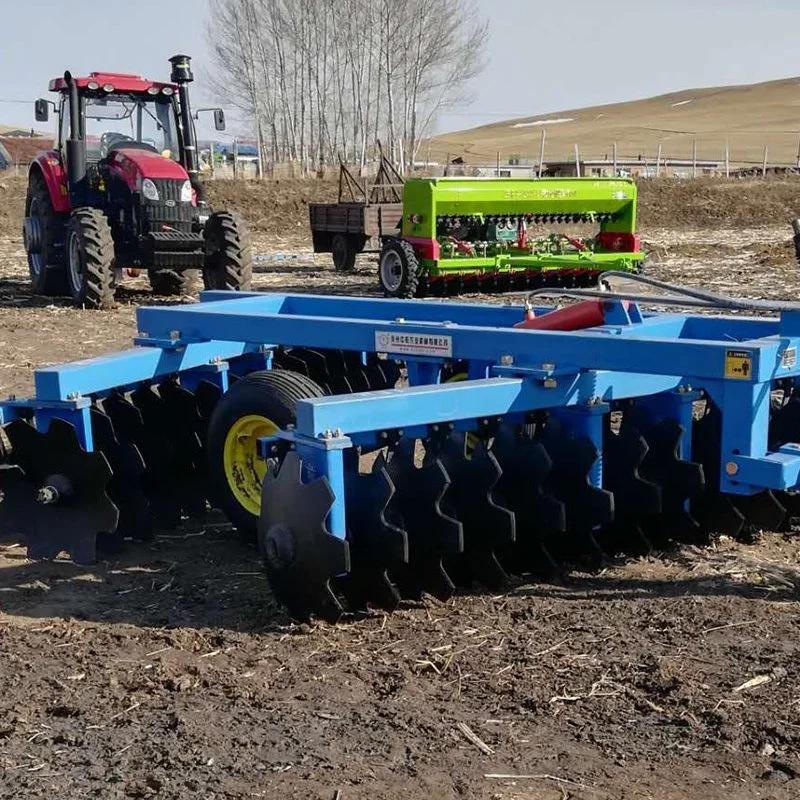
pixel 492 235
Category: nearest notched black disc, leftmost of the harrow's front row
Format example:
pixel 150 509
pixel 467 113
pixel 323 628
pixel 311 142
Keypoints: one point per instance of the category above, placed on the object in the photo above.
pixel 301 557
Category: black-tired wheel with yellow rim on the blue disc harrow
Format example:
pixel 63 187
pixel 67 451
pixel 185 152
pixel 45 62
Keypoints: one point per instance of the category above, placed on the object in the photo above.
pixel 256 406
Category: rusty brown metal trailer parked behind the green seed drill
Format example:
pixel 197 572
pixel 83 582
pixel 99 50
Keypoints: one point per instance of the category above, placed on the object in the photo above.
pixel 360 219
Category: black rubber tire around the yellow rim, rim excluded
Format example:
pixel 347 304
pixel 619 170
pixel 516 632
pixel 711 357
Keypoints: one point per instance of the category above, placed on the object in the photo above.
pixel 273 394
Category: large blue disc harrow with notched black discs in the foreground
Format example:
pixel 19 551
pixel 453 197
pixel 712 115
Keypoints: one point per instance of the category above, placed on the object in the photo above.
pixel 382 449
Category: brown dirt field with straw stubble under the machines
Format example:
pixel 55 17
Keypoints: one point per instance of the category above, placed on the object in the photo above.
pixel 170 673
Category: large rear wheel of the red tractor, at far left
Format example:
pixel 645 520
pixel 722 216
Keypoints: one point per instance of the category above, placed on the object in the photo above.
pixel 43 231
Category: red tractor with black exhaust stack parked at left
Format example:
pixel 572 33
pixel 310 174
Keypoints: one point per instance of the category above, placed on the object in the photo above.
pixel 120 193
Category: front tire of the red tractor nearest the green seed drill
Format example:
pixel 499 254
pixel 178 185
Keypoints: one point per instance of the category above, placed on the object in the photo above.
pixel 228 262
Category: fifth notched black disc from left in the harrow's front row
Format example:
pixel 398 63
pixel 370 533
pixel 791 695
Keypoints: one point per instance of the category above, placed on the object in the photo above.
pixel 539 515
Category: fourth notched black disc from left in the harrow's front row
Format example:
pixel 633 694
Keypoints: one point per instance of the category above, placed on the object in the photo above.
pixel 487 524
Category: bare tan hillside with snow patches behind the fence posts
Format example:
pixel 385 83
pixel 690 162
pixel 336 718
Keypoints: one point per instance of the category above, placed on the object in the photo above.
pixel 748 117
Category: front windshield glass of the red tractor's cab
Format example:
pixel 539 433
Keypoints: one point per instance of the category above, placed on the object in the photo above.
pixel 113 119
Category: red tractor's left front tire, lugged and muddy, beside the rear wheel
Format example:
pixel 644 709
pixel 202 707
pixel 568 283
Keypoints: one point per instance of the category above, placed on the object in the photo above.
pixel 93 285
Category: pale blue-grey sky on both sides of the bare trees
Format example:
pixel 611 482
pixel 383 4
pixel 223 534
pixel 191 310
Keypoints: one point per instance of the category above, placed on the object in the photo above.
pixel 544 56
